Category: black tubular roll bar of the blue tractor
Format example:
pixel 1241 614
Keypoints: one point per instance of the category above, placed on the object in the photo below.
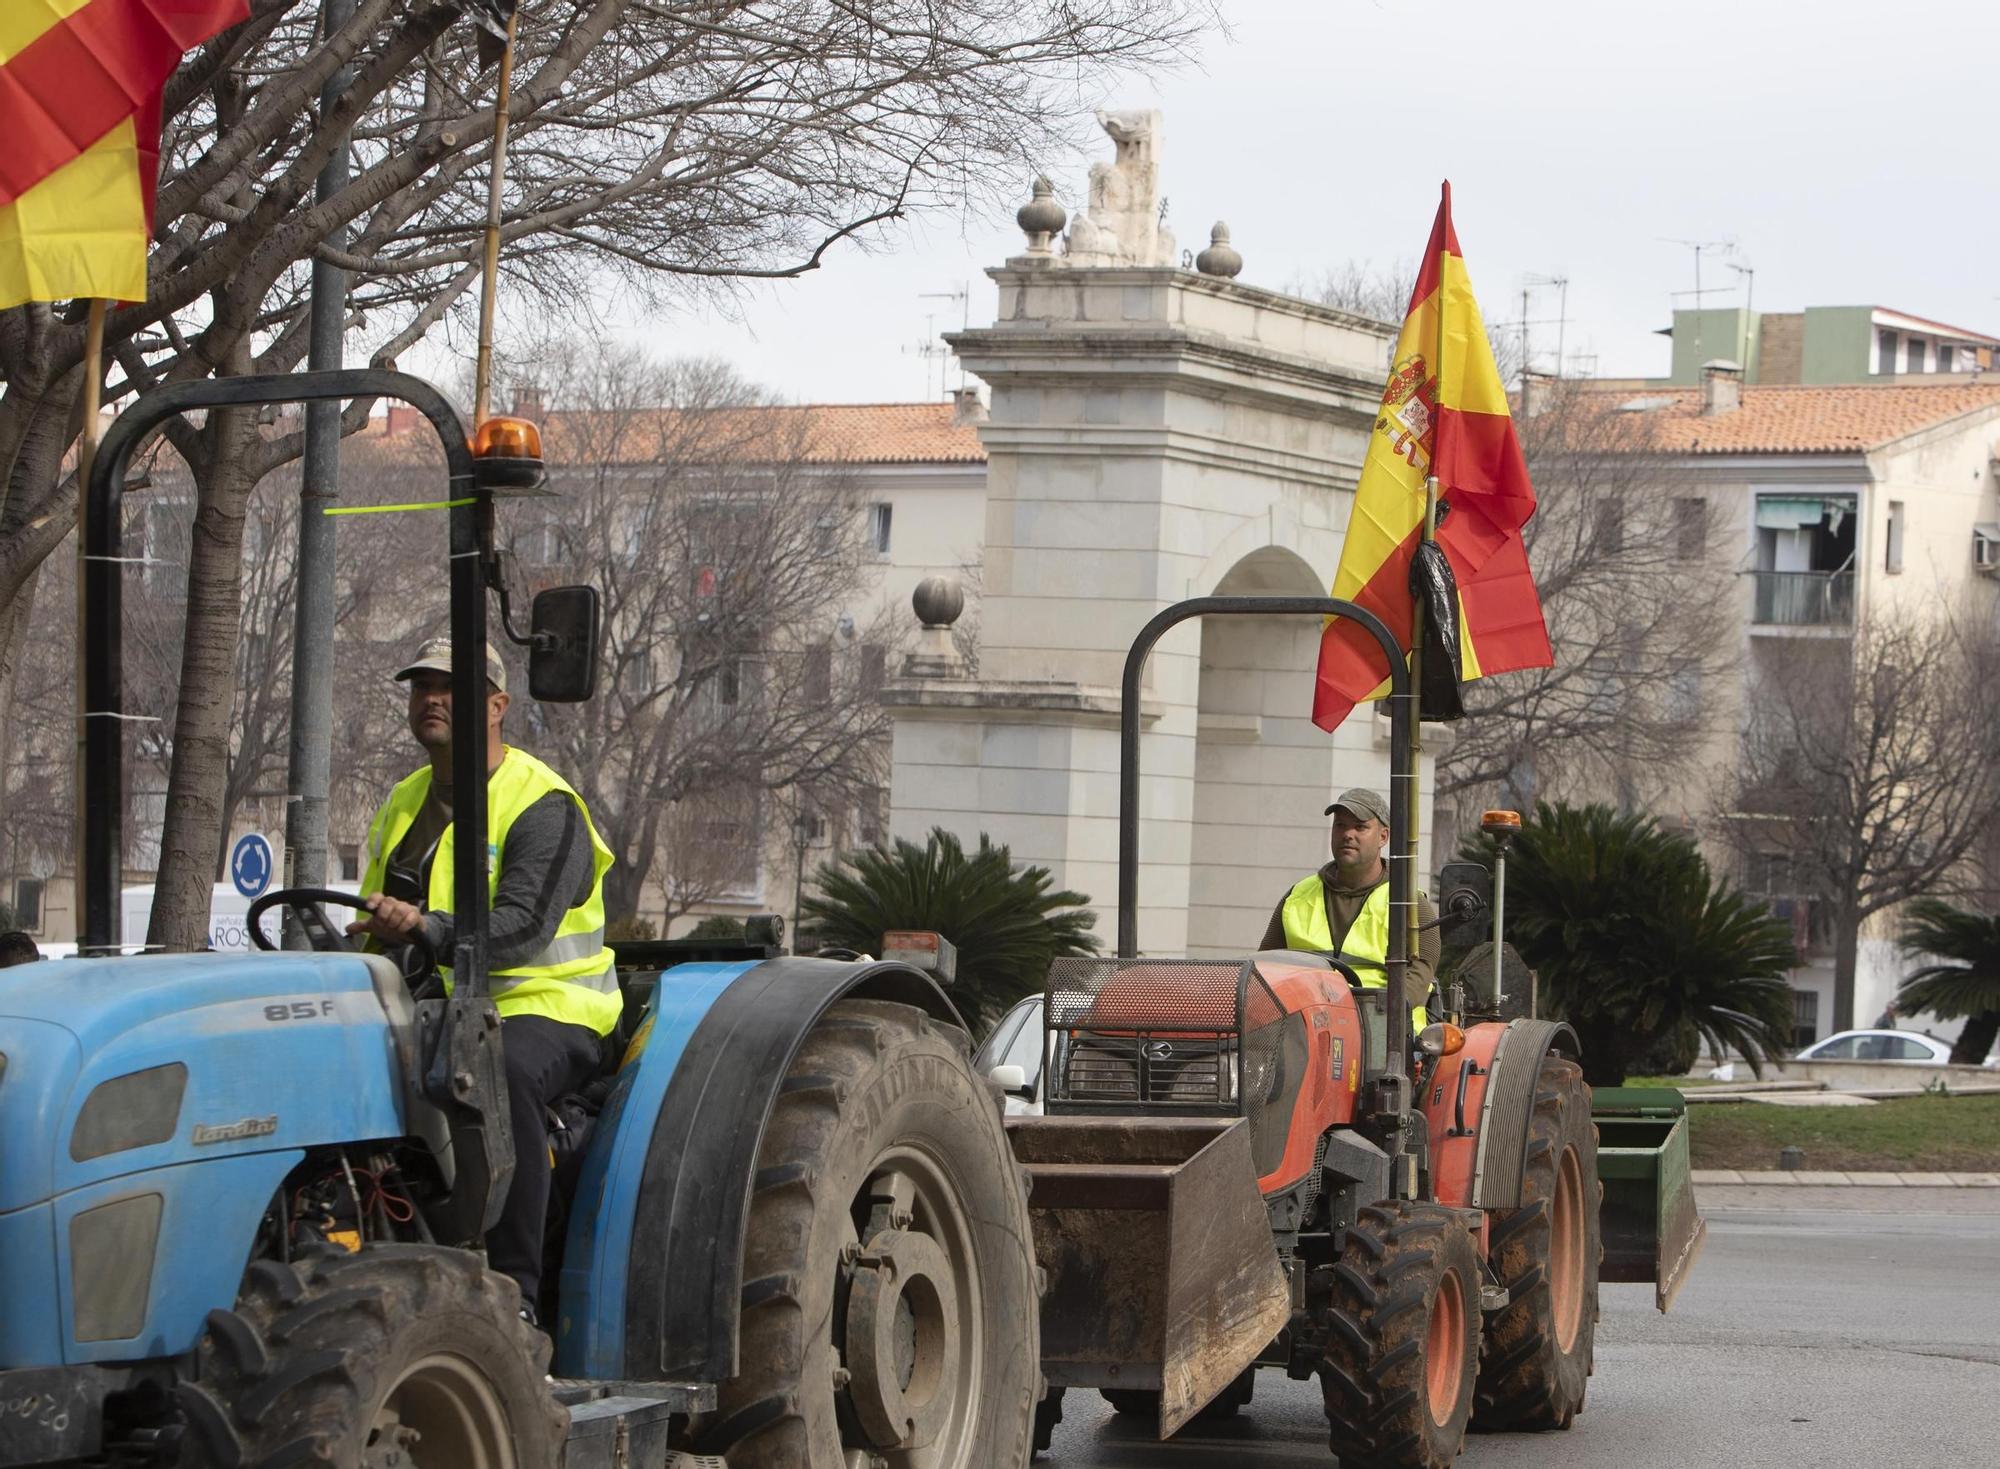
pixel 101 786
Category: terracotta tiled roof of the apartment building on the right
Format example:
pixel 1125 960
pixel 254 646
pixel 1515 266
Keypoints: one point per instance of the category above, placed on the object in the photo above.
pixel 1803 419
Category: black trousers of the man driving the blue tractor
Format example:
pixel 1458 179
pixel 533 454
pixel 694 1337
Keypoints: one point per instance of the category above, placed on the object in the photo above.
pixel 545 1060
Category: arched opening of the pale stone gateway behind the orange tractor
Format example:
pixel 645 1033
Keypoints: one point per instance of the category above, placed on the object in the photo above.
pixel 1263 772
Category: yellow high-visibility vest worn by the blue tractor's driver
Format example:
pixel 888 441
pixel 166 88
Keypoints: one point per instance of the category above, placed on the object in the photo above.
pixel 573 980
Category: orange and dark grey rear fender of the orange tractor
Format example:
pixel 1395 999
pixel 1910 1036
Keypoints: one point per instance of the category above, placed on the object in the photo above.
pixel 1479 1108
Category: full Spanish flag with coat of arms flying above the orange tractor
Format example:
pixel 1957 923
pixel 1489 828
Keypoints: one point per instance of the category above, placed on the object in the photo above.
pixel 1445 413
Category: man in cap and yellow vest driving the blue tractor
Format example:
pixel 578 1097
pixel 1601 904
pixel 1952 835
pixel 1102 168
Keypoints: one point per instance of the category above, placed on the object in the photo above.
pixel 553 978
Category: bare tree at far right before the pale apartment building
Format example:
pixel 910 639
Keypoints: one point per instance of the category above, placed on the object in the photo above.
pixel 1873 770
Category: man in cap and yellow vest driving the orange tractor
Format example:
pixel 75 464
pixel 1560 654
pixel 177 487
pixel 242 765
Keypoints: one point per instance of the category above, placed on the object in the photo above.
pixel 1345 906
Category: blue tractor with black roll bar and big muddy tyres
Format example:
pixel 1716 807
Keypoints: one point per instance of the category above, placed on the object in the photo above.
pixel 243 1196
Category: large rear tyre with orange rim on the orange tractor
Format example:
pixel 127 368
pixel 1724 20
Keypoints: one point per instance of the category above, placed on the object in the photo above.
pixel 1539 1352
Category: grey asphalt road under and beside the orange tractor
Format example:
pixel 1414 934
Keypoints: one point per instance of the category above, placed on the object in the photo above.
pixel 1809 1336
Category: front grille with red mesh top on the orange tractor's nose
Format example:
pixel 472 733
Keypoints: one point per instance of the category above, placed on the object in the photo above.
pixel 1131 1034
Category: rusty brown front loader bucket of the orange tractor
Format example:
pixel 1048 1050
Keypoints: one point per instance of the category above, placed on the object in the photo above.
pixel 1159 1254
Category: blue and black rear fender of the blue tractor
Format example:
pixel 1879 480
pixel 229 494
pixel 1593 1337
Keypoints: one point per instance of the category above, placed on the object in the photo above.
pixel 661 1258
